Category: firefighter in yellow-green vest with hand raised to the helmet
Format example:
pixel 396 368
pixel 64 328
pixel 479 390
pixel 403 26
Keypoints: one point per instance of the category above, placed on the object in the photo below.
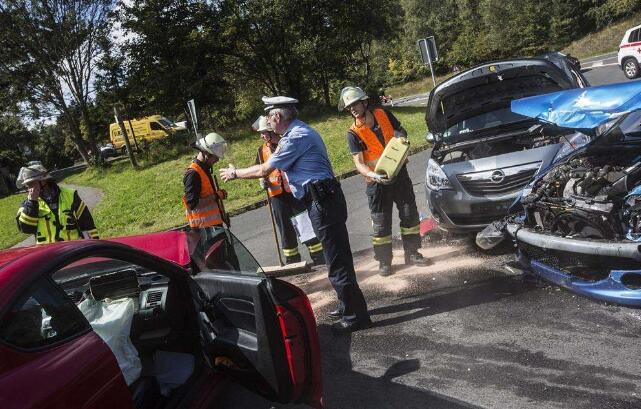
pixel 52 213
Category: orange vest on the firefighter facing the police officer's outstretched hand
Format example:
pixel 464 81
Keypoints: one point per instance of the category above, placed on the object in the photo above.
pixel 203 212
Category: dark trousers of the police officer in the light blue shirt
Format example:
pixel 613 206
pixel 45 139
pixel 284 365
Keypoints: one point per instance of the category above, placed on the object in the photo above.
pixel 328 219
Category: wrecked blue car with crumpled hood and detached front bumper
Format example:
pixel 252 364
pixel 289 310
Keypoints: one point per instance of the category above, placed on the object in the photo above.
pixel 578 223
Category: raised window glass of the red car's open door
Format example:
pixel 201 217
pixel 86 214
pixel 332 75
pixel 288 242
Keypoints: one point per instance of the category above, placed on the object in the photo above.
pixel 217 249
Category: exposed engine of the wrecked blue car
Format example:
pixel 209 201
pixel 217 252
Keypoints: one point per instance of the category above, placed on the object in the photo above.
pixel 589 197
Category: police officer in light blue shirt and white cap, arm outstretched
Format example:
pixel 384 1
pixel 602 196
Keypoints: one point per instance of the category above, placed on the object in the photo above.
pixel 303 155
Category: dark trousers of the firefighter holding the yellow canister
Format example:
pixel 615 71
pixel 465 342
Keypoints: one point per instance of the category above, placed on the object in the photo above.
pixel 381 199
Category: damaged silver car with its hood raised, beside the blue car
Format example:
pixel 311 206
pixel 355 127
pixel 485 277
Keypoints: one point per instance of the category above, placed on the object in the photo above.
pixel 483 153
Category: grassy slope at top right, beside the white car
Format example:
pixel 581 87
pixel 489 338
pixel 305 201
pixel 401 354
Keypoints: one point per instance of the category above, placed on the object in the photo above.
pixel 604 41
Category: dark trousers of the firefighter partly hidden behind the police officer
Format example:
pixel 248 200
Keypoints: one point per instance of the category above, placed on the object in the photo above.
pixel 284 206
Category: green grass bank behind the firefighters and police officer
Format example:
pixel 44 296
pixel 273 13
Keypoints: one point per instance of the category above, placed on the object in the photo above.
pixel 149 199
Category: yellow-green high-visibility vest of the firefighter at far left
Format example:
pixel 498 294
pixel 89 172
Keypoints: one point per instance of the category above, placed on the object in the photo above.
pixel 47 231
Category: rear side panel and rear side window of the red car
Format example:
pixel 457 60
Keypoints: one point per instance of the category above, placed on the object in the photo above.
pixel 52 359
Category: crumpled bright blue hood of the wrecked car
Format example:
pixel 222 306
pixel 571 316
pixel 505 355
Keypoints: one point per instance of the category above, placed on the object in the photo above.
pixel 582 108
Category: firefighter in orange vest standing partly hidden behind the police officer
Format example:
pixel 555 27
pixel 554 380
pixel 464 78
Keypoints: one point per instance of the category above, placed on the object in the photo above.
pixel 284 205
